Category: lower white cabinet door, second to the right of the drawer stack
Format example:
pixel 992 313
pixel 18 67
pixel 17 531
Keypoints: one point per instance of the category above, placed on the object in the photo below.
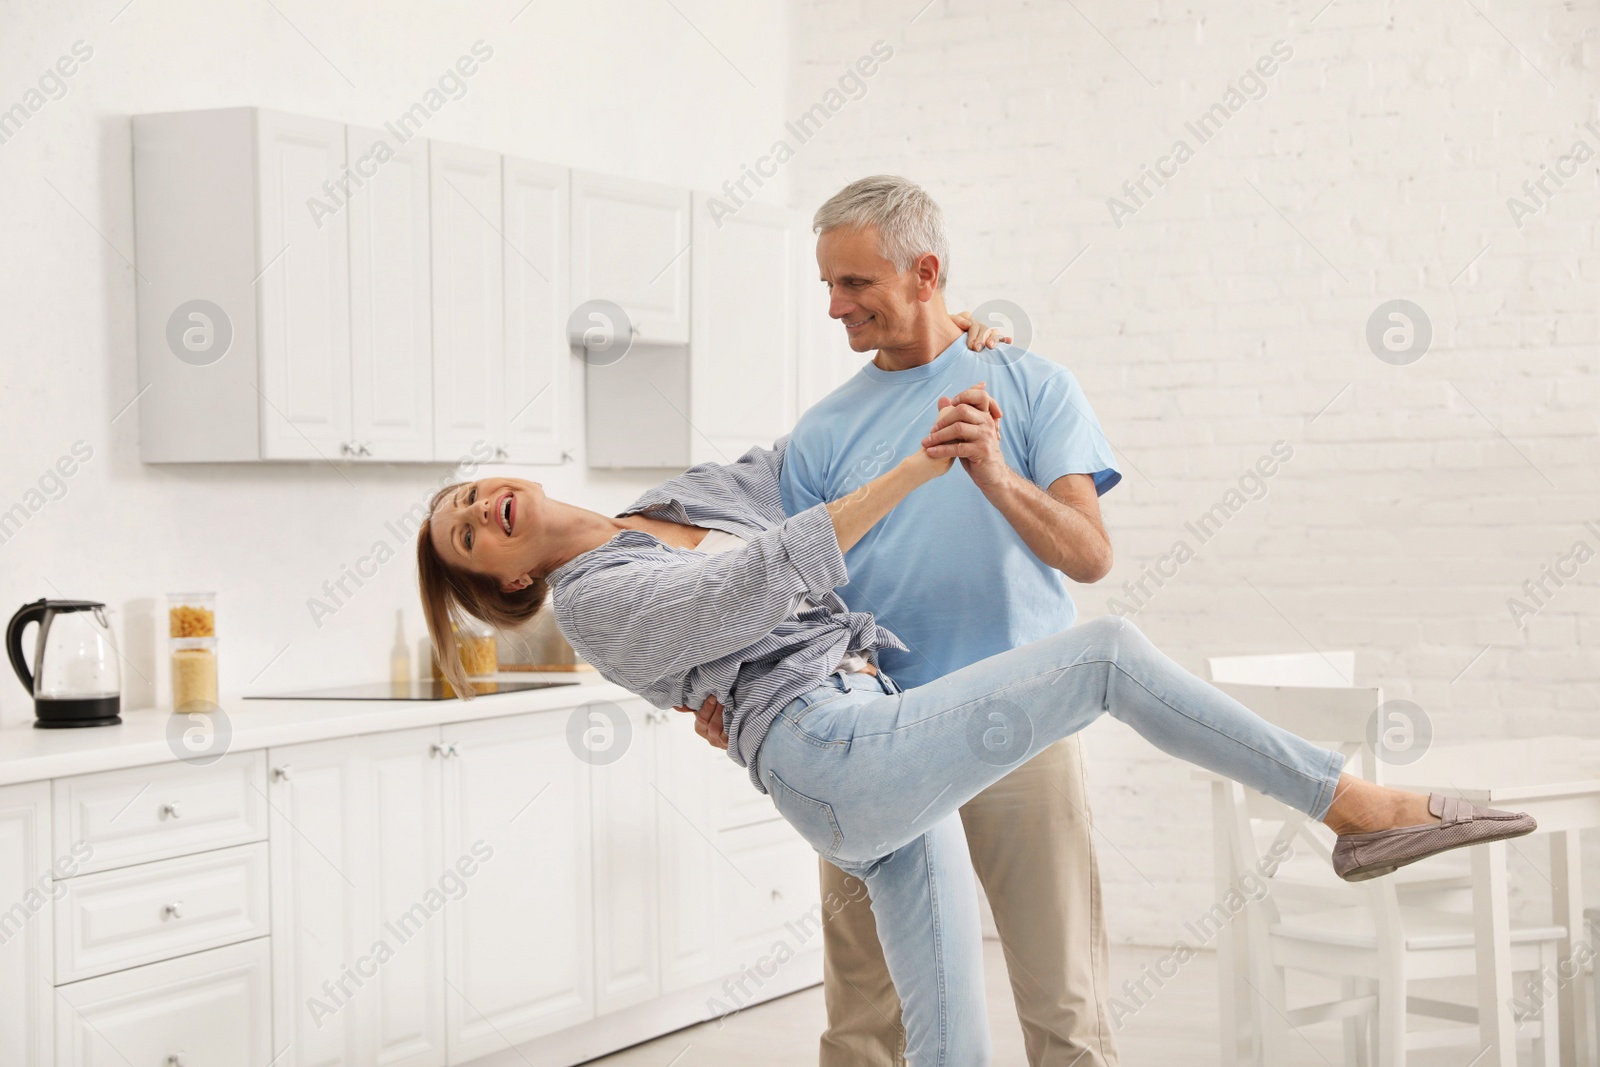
pixel 521 932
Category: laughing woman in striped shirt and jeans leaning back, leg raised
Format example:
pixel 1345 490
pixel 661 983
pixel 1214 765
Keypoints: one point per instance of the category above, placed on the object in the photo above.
pixel 705 589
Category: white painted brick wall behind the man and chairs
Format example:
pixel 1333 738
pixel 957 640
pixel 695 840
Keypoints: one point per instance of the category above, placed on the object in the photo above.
pixel 1210 326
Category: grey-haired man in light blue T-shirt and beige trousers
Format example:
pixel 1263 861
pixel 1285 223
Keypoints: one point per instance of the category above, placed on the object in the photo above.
pixel 969 567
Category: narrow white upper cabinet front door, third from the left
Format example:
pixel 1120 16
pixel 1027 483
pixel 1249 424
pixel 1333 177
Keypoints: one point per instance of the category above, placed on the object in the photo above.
pixel 470 329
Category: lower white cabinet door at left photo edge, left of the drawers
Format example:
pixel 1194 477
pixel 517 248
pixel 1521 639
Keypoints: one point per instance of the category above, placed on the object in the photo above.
pixel 25 927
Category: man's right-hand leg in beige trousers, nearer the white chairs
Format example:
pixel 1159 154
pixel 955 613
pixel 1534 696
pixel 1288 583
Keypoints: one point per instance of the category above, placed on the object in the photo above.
pixel 1031 839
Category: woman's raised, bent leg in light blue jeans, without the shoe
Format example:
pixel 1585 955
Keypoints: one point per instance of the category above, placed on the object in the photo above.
pixel 889 767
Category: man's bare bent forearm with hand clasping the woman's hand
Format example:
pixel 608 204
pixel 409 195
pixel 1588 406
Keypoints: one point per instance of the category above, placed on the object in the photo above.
pixel 1062 527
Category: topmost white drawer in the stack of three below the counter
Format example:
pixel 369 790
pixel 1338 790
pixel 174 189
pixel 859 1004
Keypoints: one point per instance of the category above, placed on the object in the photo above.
pixel 162 810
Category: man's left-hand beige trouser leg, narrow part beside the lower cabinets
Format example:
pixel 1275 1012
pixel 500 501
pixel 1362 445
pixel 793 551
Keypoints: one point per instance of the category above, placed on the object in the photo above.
pixel 863 1010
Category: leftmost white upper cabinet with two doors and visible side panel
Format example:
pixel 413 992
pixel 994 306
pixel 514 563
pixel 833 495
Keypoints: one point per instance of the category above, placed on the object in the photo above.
pixel 284 300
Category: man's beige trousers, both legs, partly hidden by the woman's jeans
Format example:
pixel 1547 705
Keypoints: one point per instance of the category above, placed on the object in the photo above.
pixel 1031 842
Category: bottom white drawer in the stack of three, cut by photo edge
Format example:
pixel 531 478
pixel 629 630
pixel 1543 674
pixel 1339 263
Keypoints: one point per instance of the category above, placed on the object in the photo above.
pixel 204 1010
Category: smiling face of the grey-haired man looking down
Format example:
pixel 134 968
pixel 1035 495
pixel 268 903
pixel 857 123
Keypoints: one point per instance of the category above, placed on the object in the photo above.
pixel 874 300
